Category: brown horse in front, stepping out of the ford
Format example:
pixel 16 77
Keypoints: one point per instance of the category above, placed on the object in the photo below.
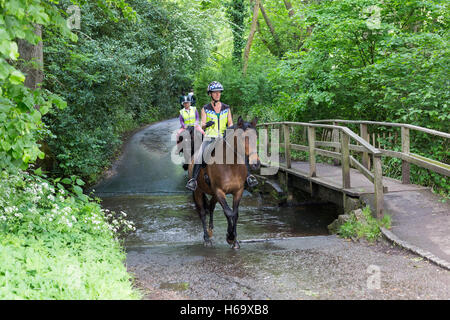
pixel 218 180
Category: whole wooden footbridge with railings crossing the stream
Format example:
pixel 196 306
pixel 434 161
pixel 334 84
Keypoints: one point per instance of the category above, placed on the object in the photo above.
pixel 356 168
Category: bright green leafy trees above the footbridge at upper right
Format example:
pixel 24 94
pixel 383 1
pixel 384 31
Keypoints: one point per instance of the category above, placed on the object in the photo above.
pixel 350 70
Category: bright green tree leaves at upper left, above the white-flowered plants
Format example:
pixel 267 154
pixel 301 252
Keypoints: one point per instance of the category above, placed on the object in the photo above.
pixel 21 109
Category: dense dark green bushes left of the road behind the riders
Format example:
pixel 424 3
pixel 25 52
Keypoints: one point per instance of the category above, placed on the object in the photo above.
pixel 116 77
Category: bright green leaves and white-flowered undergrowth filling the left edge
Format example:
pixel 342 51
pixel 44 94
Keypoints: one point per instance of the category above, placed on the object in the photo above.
pixel 53 245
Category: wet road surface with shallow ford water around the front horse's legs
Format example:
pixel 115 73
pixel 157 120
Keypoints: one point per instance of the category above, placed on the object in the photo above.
pixel 167 256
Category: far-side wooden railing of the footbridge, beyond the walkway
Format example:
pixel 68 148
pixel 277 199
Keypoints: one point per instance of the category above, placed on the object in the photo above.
pixel 405 155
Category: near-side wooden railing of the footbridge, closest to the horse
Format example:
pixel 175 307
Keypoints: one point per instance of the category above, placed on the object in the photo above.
pixel 341 144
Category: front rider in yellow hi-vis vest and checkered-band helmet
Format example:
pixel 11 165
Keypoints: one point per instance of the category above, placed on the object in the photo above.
pixel 216 116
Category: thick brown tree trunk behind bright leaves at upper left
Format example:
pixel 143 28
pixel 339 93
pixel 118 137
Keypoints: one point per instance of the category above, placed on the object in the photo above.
pixel 33 57
